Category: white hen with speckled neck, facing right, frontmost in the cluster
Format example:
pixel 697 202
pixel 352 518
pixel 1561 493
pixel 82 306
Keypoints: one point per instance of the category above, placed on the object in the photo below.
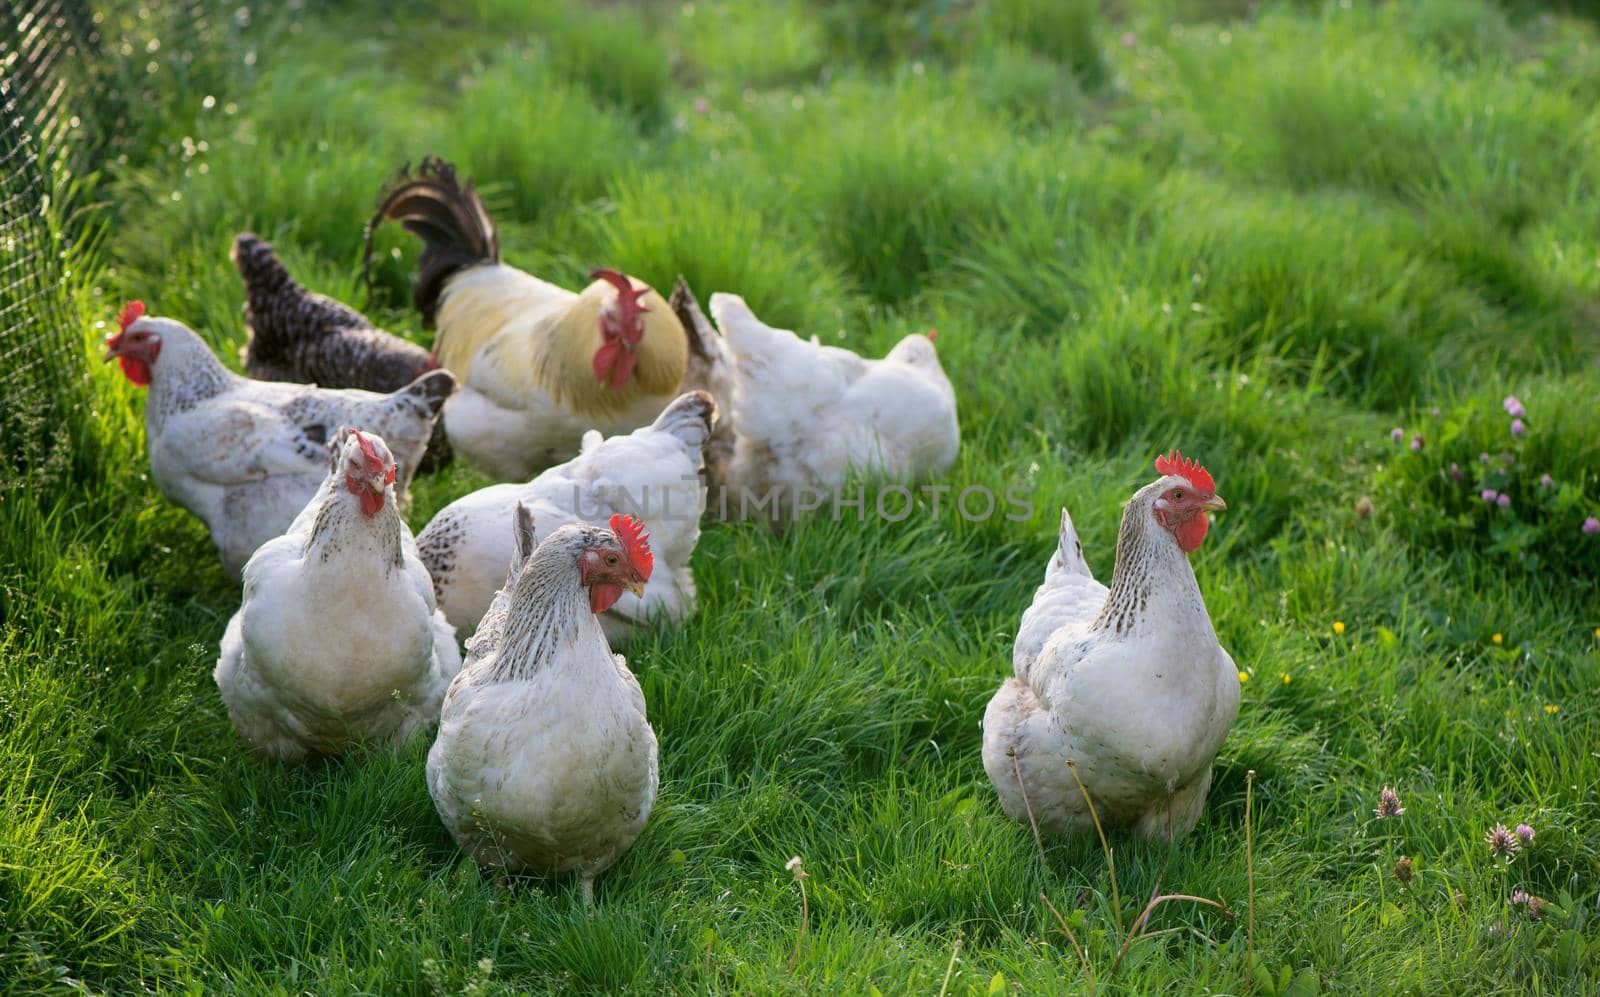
pixel 545 759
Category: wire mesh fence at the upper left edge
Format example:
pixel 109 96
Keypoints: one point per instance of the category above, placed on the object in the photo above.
pixel 41 354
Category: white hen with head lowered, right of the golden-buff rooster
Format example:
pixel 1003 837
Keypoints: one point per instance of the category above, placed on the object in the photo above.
pixel 806 415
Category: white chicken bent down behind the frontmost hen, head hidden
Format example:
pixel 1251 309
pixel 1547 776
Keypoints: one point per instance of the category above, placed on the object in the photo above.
pixel 652 473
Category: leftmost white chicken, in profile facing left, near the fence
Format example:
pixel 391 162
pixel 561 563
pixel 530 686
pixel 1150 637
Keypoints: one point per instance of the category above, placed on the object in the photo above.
pixel 244 455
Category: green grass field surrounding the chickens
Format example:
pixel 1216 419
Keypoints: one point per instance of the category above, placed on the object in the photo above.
pixel 1265 236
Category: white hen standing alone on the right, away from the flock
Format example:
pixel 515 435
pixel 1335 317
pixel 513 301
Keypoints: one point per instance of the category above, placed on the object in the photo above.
pixel 1127 684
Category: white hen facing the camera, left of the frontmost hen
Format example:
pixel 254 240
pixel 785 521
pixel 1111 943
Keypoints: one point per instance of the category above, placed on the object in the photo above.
pixel 338 639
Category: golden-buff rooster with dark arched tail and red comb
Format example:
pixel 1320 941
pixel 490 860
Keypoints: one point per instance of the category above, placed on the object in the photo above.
pixel 540 366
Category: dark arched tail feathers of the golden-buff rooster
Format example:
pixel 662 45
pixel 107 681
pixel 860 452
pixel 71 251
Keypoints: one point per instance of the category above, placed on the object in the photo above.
pixel 450 220
